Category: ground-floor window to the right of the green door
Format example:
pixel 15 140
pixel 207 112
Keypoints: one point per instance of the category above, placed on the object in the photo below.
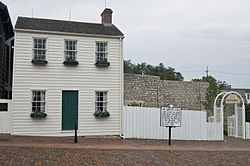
pixel 101 101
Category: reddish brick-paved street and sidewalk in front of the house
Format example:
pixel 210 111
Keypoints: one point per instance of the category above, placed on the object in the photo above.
pixel 114 152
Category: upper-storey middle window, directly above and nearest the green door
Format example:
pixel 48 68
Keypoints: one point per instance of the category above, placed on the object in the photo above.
pixel 70 50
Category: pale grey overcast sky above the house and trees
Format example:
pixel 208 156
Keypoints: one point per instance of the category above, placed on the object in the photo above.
pixel 185 34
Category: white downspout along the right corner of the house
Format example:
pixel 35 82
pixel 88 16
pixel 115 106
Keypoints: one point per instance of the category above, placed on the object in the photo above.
pixel 121 88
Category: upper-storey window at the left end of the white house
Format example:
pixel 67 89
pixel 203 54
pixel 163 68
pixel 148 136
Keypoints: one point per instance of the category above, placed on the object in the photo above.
pixel 39 49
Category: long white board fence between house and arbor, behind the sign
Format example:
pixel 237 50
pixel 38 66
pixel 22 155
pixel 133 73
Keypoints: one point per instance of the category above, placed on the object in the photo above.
pixel 144 123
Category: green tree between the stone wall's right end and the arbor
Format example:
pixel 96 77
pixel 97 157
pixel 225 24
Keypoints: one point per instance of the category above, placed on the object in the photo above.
pixel 214 88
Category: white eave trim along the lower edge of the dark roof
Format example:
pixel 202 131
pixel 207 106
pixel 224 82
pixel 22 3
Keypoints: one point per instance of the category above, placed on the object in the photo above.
pixel 67 33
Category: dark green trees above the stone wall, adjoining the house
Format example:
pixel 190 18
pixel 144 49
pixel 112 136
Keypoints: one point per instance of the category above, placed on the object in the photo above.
pixel 164 73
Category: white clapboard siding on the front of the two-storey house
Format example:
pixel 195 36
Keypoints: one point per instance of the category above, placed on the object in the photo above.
pixel 55 77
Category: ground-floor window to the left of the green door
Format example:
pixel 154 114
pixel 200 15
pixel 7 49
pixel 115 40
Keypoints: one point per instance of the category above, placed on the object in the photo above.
pixel 38 101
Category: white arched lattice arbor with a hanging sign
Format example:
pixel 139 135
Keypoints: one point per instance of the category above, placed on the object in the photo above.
pixel 236 122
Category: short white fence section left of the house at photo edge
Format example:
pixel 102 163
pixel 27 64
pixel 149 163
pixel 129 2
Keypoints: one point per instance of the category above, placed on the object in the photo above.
pixel 6 117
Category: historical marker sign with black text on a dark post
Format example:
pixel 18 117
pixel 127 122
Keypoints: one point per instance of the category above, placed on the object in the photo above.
pixel 170 117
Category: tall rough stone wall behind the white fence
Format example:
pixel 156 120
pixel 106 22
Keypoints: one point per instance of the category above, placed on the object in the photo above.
pixel 150 91
